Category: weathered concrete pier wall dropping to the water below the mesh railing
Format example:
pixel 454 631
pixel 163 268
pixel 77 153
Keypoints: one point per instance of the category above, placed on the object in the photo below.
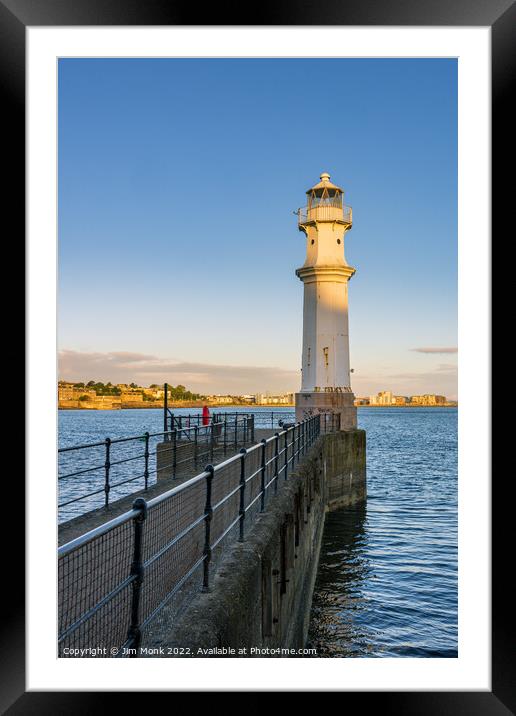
pixel 261 592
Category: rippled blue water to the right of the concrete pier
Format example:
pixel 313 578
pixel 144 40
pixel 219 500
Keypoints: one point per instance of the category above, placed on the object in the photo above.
pixel 387 579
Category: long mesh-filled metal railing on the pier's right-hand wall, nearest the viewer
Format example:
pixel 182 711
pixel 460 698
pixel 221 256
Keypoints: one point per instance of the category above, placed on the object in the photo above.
pixel 115 580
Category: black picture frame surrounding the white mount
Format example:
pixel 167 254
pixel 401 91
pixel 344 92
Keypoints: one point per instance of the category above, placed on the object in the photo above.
pixel 500 15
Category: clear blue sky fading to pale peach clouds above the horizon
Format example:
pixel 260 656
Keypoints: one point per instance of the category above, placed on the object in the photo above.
pixel 177 241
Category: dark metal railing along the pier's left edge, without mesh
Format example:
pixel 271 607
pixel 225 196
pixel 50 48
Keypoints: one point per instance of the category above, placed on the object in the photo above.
pixel 108 470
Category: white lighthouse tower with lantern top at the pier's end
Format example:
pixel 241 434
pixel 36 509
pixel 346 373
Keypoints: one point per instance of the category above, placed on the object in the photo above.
pixel 326 385
